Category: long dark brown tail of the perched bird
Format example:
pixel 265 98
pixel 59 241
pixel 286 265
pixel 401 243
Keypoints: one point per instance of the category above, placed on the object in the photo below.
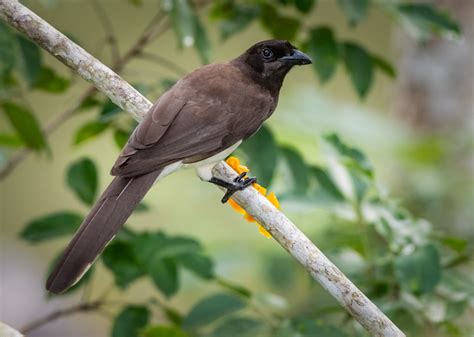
pixel 101 225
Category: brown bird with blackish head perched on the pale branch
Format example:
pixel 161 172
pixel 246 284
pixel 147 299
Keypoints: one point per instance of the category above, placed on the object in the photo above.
pixel 198 122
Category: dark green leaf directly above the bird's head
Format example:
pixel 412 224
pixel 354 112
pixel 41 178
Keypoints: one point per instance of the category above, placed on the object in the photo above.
pixel 280 26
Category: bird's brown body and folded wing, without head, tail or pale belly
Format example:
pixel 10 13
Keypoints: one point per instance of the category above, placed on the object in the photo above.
pixel 203 114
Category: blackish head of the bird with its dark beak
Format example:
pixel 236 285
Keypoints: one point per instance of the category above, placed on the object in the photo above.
pixel 270 60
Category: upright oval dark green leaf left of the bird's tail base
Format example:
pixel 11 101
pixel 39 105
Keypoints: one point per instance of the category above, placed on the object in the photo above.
pixel 82 179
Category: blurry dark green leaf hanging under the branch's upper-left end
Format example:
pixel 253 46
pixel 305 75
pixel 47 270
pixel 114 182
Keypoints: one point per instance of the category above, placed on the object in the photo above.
pixel 30 65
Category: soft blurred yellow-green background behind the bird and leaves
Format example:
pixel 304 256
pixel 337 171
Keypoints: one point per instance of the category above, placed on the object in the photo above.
pixel 415 129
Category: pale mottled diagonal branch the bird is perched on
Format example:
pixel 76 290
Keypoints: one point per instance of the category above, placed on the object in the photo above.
pixel 281 228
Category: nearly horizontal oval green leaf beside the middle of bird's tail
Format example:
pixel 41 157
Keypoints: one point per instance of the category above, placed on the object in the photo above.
pixel 51 226
